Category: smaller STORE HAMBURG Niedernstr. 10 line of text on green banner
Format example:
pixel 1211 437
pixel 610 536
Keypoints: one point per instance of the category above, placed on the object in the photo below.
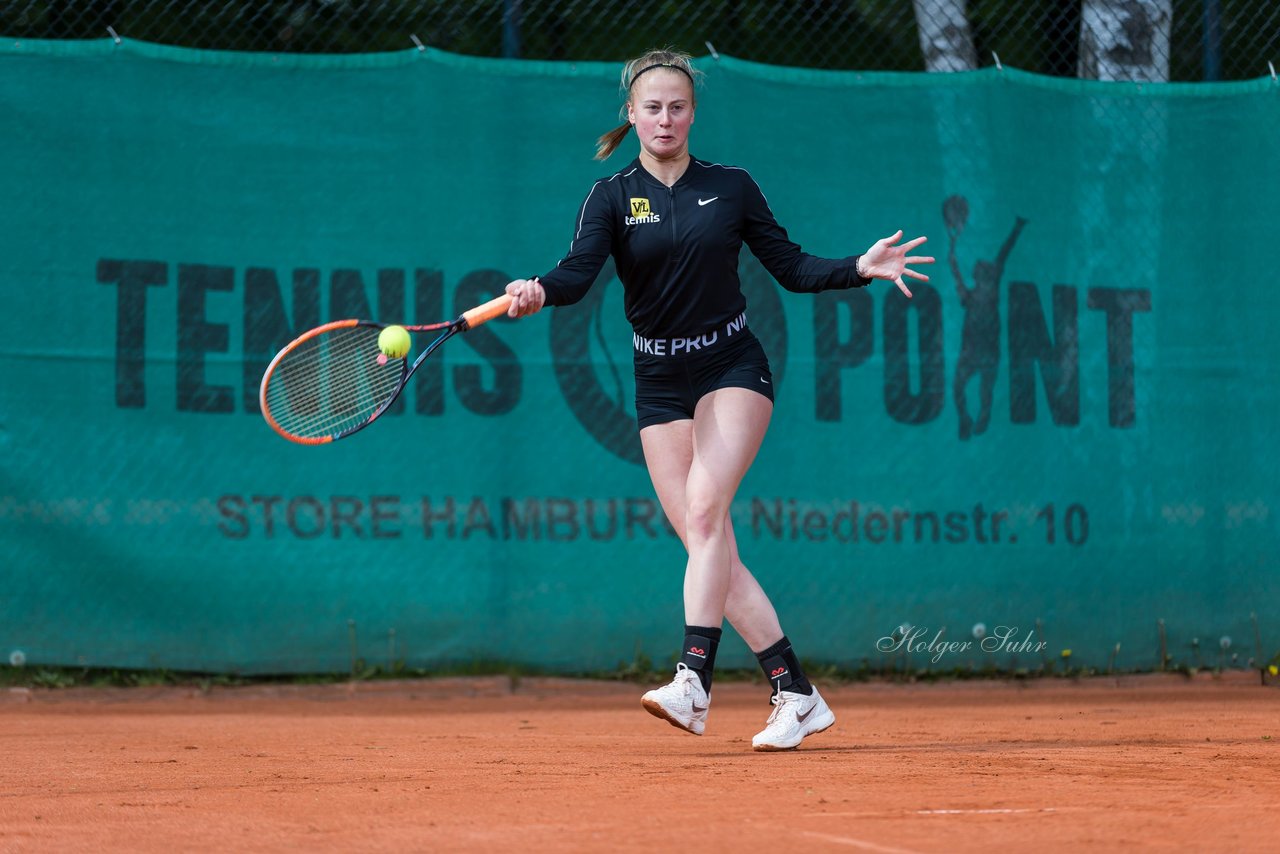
pixel 563 519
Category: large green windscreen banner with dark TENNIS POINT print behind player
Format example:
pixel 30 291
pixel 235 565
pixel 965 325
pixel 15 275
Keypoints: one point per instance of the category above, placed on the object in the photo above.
pixel 1067 441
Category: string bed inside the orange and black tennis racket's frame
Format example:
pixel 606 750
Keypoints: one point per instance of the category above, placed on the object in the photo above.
pixel 332 383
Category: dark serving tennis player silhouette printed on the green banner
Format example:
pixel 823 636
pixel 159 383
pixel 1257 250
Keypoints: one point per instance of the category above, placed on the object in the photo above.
pixel 980 340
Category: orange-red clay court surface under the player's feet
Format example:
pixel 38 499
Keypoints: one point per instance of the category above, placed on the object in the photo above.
pixel 1148 764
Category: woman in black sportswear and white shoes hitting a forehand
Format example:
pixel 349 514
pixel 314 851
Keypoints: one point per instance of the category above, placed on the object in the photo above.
pixel 705 394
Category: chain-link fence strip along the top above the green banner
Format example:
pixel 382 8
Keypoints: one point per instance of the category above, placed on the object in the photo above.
pixel 1178 40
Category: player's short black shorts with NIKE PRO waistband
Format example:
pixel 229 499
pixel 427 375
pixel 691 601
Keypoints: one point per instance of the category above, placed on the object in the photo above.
pixel 670 387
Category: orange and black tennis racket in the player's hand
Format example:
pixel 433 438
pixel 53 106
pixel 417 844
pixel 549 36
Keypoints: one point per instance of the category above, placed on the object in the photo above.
pixel 335 381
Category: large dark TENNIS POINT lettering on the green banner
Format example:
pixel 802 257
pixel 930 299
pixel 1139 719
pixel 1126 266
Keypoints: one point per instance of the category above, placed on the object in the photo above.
pixel 217 310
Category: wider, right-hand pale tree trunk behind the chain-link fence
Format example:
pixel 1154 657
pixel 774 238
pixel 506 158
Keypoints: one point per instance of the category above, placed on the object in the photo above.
pixel 1126 40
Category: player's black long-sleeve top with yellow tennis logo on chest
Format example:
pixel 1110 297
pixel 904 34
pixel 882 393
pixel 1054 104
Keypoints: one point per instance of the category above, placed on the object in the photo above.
pixel 676 249
